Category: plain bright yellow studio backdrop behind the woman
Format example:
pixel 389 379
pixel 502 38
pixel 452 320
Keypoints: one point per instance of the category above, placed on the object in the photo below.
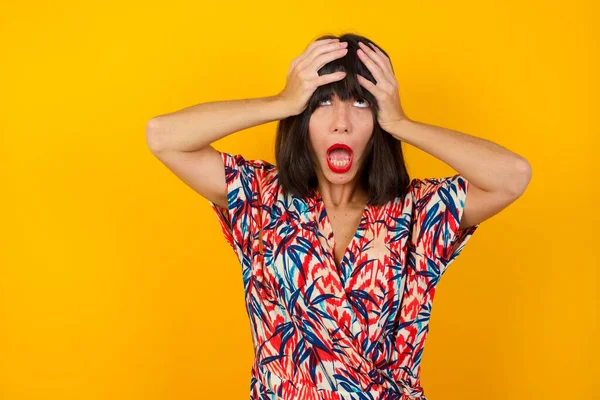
pixel 115 279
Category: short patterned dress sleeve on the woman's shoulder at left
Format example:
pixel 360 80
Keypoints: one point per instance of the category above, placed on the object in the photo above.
pixel 238 221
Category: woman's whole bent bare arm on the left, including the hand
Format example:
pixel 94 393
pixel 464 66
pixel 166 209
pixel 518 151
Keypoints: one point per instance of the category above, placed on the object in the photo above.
pixel 182 140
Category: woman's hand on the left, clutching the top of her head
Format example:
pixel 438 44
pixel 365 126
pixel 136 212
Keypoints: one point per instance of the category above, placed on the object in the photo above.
pixel 303 78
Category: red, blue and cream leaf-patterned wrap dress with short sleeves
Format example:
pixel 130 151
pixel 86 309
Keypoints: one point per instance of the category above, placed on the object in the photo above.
pixel 353 332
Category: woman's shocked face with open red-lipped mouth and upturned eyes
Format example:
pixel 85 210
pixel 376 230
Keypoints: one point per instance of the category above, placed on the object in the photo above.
pixel 348 123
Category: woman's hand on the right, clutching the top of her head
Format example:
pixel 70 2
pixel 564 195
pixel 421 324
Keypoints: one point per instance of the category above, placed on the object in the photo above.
pixel 386 90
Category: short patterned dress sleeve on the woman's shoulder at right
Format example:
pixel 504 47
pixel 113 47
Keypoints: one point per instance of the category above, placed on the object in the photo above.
pixel 439 207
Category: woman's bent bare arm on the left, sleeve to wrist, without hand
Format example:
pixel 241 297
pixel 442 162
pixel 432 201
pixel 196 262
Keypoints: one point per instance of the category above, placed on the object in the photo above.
pixel 182 140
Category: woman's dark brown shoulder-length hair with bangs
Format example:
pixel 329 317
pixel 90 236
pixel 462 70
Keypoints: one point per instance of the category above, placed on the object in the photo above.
pixel 384 174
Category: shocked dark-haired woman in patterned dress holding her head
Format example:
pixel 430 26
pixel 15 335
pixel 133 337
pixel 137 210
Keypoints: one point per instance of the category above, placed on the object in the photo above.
pixel 340 250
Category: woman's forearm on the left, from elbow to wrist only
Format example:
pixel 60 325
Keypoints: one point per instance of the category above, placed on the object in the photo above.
pixel 198 126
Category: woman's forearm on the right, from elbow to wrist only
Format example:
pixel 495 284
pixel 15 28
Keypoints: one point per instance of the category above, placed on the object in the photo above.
pixel 483 163
